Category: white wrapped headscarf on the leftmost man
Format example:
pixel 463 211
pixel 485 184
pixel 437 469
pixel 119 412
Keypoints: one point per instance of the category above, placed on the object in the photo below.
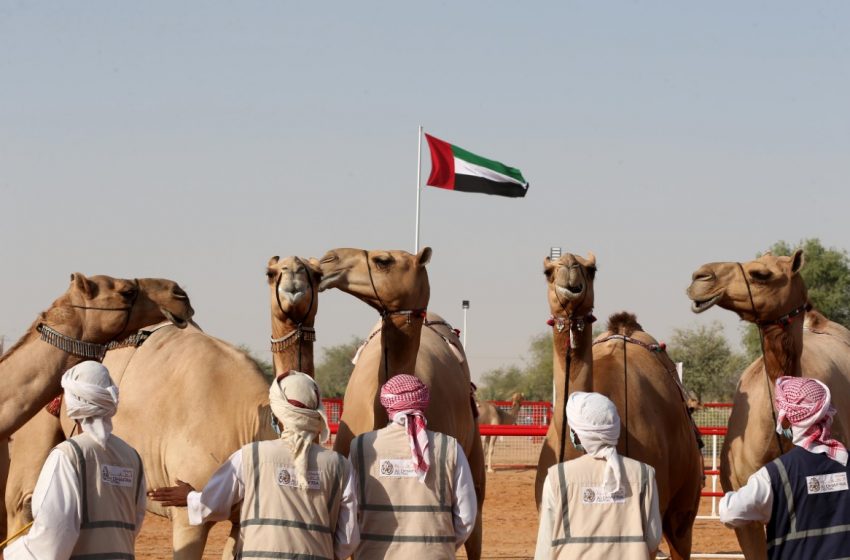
pixel 92 398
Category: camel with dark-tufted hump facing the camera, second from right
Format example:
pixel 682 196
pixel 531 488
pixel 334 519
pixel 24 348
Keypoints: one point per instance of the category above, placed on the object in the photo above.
pixel 631 368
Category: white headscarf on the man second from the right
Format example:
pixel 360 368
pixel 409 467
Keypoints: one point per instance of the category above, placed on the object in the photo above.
pixel 594 419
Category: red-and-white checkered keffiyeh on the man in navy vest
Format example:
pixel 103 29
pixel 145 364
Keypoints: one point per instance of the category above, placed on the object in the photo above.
pixel 805 403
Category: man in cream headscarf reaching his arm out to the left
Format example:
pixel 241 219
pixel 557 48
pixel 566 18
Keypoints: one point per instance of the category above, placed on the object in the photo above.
pixel 290 507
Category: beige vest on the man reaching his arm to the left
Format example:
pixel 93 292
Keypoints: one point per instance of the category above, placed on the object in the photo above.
pixel 281 520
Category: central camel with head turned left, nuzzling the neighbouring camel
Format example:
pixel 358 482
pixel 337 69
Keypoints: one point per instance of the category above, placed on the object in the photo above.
pixel 396 284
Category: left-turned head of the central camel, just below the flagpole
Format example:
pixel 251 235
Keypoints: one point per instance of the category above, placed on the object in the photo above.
pixel 386 280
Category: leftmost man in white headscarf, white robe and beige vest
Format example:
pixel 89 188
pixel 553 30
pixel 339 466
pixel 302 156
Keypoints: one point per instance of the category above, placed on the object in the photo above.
pixel 65 518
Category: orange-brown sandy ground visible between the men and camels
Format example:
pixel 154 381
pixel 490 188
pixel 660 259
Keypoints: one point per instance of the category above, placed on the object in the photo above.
pixel 510 524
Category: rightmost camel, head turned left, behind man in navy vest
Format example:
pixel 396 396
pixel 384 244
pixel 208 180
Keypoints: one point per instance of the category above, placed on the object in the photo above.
pixel 770 292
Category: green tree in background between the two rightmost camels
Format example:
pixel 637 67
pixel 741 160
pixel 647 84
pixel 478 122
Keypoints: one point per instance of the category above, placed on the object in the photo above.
pixel 710 367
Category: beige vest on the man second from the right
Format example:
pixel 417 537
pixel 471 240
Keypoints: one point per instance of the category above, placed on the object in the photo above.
pixel 594 524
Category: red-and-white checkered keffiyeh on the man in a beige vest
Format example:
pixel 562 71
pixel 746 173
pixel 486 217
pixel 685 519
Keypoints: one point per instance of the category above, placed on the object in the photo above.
pixel 406 398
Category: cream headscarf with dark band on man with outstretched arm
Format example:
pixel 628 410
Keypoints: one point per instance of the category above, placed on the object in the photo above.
pixel 295 401
